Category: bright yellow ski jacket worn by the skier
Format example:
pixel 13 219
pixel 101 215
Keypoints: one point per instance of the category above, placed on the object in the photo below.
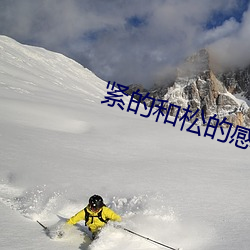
pixel 94 223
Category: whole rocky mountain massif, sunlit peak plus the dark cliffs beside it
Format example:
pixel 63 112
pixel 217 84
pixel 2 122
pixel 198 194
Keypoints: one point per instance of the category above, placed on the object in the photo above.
pixel 198 86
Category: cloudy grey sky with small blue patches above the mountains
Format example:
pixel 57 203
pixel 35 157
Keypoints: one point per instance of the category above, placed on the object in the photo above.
pixel 131 41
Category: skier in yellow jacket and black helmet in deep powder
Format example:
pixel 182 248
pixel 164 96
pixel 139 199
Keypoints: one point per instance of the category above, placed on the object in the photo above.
pixel 95 214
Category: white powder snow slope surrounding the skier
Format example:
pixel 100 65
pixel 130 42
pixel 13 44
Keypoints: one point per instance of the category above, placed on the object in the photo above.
pixel 60 145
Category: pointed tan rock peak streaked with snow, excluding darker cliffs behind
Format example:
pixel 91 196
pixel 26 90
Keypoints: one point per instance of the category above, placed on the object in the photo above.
pixel 196 85
